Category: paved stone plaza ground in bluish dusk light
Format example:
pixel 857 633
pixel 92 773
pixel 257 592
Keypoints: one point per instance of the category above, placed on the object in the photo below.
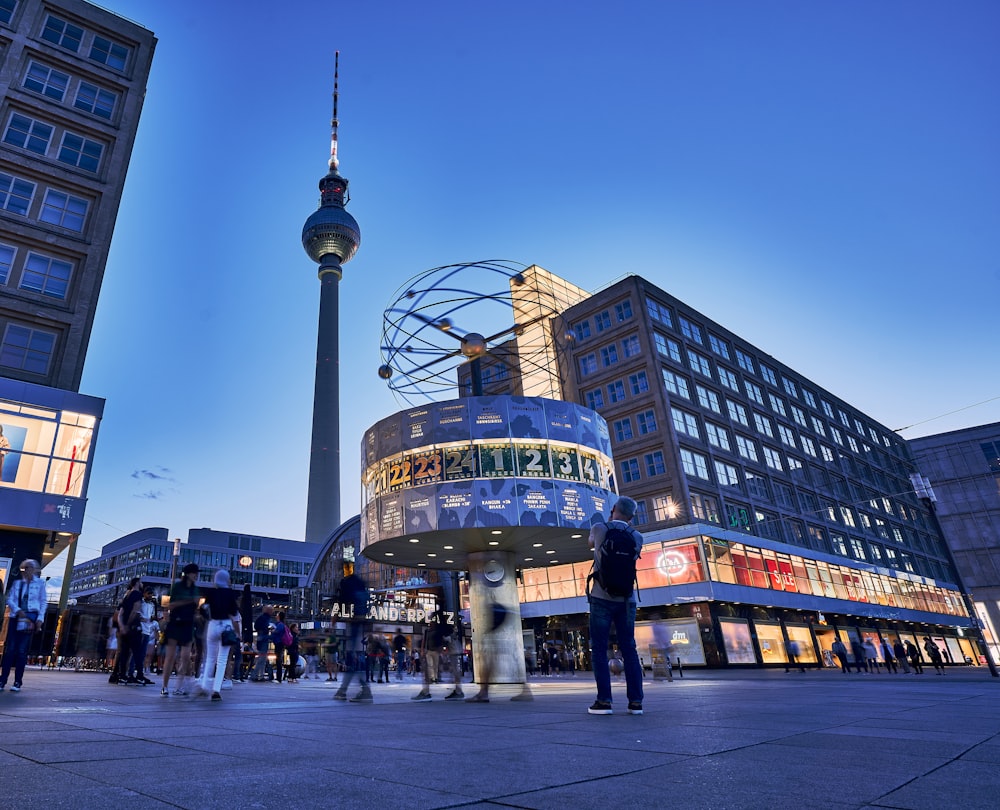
pixel 712 739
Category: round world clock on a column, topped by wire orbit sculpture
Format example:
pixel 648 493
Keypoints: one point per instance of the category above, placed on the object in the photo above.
pixel 495 481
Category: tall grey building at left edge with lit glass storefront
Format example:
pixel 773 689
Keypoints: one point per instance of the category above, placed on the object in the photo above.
pixel 72 80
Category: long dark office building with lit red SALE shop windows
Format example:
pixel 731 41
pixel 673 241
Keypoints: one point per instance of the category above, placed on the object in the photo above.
pixel 772 510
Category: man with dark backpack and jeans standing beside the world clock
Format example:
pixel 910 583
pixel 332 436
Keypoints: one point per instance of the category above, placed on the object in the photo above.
pixel 611 594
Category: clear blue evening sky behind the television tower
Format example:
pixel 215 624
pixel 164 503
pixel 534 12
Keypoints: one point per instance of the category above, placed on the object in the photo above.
pixel 821 178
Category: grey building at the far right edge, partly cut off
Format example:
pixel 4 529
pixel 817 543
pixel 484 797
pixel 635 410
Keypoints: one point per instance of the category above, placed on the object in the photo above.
pixel 963 468
